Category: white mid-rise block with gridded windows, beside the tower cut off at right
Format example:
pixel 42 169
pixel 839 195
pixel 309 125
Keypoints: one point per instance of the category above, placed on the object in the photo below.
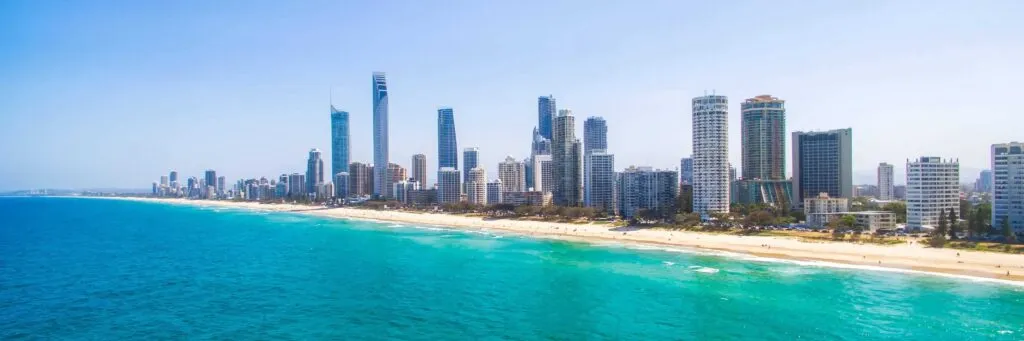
pixel 932 188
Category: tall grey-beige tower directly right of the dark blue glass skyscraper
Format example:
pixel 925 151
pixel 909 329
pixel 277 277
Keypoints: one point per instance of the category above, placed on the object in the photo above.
pixel 566 158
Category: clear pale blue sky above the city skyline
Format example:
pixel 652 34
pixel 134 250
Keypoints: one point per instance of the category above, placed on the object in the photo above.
pixel 116 94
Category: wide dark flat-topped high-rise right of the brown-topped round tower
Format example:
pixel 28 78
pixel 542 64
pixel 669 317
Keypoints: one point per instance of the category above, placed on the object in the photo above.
pixel 823 162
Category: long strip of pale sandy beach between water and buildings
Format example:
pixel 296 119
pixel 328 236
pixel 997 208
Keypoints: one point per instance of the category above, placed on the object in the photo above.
pixel 904 257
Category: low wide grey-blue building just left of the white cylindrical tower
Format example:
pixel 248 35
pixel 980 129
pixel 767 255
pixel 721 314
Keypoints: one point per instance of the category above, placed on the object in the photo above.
pixel 646 189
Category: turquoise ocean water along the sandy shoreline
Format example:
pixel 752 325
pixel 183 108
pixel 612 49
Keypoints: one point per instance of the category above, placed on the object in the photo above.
pixel 102 270
